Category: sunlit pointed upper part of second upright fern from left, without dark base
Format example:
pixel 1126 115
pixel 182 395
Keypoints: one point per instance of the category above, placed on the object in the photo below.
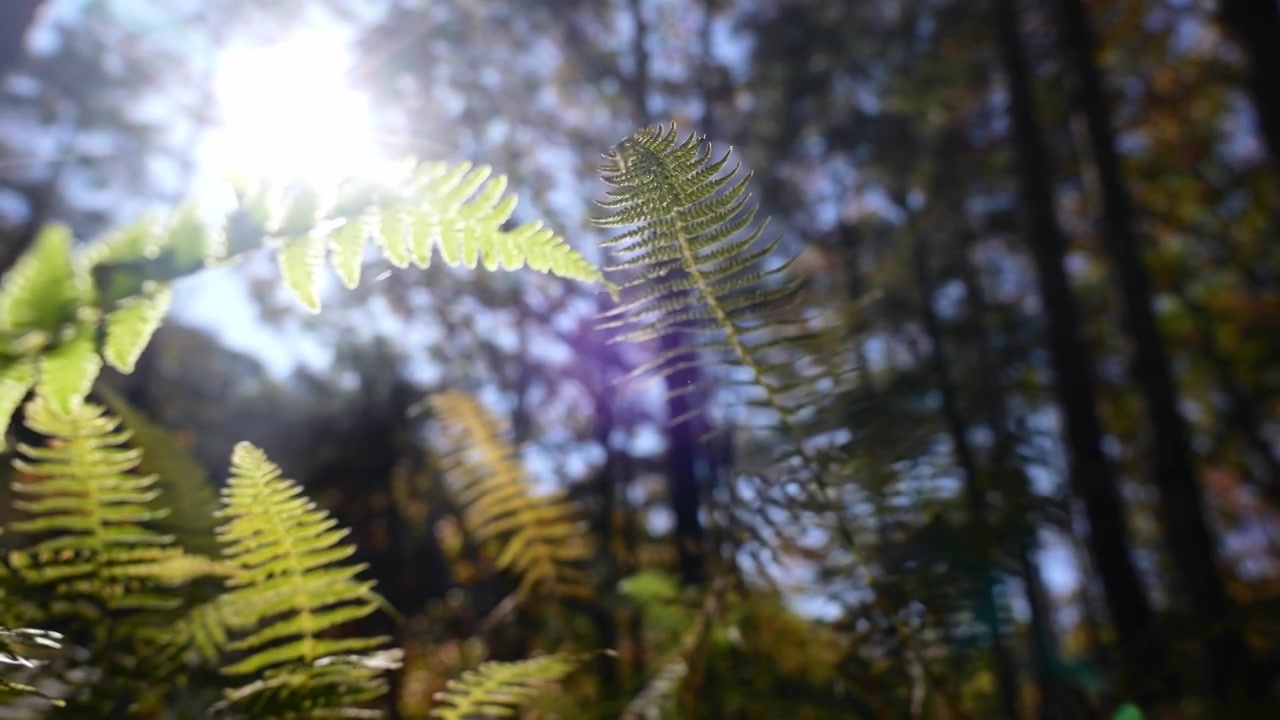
pixel 292 578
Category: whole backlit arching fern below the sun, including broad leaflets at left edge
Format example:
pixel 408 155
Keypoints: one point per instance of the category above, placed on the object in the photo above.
pixel 65 313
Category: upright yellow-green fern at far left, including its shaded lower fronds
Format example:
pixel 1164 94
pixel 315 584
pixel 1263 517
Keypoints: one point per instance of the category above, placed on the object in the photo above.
pixel 97 567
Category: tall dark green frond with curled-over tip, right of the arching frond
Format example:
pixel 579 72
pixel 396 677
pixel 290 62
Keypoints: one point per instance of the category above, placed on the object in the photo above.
pixel 693 261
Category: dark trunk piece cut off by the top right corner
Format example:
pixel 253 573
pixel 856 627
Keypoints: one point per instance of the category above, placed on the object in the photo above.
pixel 1255 25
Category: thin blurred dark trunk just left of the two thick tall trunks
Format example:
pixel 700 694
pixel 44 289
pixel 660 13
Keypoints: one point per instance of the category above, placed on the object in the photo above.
pixel 1007 676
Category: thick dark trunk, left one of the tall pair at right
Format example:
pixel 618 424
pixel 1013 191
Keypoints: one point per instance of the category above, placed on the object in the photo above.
pixel 1091 475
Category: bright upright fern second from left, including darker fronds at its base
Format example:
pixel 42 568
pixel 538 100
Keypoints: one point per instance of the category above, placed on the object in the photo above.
pixel 294 587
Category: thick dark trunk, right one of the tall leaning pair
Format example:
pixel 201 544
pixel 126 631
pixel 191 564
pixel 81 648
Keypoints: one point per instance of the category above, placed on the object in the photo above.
pixel 1173 464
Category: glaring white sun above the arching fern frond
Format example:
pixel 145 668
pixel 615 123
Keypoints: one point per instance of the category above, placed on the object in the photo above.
pixel 289 112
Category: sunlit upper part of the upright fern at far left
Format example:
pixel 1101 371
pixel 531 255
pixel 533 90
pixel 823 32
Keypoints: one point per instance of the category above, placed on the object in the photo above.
pixel 94 514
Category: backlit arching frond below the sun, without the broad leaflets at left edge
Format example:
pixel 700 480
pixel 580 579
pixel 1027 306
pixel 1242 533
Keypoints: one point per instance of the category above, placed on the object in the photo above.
pixel 455 209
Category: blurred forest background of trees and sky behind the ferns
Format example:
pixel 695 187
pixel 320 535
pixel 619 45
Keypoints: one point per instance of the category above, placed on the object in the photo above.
pixel 1050 234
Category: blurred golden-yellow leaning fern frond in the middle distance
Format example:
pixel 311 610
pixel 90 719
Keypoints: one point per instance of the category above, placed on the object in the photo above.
pixel 541 540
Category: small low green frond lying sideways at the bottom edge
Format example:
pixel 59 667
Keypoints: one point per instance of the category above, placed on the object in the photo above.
pixel 497 690
